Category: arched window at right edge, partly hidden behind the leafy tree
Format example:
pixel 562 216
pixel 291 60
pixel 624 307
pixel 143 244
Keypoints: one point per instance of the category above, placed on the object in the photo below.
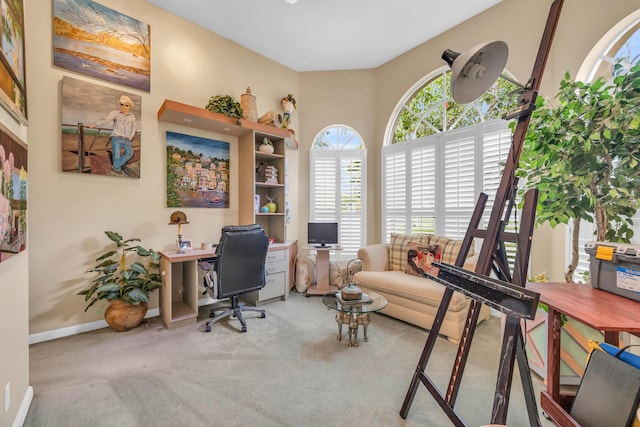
pixel 620 44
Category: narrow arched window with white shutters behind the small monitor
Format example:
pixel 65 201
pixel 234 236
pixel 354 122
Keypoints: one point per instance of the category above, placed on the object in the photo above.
pixel 338 176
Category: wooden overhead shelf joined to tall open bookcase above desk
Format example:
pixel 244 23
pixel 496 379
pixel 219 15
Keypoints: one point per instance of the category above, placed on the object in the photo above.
pixel 250 135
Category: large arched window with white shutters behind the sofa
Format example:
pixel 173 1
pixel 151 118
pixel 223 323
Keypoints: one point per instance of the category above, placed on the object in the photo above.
pixel 439 155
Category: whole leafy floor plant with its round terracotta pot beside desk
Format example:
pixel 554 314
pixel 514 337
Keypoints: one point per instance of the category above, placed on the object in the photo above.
pixel 126 275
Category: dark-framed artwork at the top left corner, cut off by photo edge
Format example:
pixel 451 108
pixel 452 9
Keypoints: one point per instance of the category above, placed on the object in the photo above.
pixel 13 84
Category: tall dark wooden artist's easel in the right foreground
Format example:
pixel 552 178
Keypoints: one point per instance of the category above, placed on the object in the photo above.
pixel 492 258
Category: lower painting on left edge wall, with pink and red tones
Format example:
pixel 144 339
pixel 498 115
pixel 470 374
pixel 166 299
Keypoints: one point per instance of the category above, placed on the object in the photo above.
pixel 13 196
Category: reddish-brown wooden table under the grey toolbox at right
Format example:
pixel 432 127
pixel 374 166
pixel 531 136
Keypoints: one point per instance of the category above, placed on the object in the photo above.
pixel 598 309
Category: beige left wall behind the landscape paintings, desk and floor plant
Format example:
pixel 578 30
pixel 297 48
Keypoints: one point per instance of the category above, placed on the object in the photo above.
pixel 68 212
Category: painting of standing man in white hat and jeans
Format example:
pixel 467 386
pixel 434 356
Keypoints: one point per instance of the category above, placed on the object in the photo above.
pixel 100 130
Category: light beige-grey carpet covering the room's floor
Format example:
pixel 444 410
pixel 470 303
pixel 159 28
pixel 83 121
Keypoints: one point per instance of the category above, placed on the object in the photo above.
pixel 286 370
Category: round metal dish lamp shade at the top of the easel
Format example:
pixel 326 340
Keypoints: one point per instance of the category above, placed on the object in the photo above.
pixel 475 71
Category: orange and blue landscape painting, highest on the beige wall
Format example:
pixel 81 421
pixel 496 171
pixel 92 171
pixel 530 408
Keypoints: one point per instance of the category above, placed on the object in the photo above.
pixel 92 39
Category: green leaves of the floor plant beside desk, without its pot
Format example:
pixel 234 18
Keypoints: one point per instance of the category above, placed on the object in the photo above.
pixel 128 273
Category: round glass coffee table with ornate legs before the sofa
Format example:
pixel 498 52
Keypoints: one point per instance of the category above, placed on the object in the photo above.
pixel 354 314
